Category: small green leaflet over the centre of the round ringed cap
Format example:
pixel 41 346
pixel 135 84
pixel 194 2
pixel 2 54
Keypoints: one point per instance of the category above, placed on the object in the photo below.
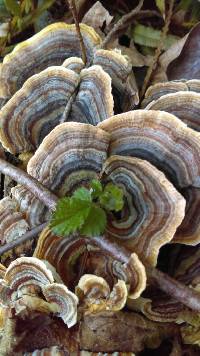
pixel 112 198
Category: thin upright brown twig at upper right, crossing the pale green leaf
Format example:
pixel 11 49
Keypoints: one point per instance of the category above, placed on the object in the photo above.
pixel 158 51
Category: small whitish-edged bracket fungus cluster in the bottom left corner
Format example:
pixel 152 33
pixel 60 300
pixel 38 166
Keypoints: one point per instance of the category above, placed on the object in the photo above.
pixel 31 287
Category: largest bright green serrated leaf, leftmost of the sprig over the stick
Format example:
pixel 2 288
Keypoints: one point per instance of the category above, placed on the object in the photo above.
pixel 69 216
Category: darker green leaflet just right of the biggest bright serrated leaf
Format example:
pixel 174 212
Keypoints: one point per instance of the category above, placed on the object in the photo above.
pixel 95 222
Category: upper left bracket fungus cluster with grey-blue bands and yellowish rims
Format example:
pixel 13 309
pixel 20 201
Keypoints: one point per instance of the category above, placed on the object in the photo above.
pixel 50 85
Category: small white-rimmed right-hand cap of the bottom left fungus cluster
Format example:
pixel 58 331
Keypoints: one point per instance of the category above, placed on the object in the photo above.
pixel 66 301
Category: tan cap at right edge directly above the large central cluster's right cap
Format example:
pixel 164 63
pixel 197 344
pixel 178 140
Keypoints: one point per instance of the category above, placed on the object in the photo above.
pixel 185 105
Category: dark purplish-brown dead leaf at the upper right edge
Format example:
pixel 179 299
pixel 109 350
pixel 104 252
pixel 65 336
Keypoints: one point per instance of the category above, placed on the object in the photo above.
pixel 187 65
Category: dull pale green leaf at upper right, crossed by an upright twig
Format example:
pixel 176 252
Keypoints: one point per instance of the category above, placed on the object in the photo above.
pixel 149 37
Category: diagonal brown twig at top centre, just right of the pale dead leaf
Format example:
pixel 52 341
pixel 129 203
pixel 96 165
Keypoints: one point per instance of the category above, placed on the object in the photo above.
pixel 122 24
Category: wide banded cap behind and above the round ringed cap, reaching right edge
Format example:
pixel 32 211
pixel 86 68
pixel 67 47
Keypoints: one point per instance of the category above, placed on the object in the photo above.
pixel 161 139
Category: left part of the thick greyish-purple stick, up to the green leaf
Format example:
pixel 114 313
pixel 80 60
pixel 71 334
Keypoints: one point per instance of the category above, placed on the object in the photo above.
pixel 21 177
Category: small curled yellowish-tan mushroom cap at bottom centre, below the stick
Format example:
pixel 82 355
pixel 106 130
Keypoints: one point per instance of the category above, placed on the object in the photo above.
pixel 97 294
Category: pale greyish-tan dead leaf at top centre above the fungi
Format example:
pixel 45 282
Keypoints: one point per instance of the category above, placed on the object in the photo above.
pixel 97 15
